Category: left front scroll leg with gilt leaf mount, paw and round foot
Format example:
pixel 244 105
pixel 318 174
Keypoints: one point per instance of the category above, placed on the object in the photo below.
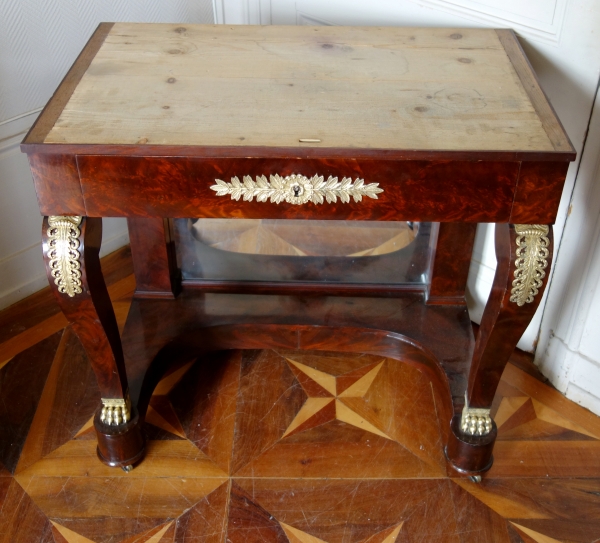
pixel 71 254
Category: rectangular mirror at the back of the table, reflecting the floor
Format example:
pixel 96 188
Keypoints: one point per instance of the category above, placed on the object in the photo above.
pixel 288 251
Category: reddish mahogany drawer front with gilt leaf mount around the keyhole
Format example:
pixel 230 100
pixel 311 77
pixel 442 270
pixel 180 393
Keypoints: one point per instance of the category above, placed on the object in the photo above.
pixel 391 190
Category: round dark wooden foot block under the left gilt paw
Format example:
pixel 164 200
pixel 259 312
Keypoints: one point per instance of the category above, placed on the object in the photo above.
pixel 120 446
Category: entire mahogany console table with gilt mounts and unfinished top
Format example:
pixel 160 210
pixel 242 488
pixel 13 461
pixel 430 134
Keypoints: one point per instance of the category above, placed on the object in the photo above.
pixel 444 128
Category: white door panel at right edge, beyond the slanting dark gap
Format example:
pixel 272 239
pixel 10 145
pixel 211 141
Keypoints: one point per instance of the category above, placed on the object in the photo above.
pixel 569 346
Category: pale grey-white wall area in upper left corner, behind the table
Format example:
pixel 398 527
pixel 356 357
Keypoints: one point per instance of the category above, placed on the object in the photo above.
pixel 40 39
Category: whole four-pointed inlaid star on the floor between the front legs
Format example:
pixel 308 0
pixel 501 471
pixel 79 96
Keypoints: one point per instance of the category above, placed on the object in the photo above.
pixel 332 398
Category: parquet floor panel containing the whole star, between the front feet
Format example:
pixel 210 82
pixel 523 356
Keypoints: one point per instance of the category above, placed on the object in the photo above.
pixel 346 429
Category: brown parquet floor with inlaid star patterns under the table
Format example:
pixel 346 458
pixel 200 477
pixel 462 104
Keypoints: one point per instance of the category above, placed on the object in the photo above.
pixel 278 446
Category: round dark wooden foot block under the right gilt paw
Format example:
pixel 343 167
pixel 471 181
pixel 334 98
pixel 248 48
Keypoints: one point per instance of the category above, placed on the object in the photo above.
pixel 471 455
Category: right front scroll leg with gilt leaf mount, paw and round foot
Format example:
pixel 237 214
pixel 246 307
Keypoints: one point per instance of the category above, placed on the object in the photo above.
pixel 524 254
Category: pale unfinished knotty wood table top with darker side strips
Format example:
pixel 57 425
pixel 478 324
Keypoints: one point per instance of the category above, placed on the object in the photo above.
pixel 354 88
